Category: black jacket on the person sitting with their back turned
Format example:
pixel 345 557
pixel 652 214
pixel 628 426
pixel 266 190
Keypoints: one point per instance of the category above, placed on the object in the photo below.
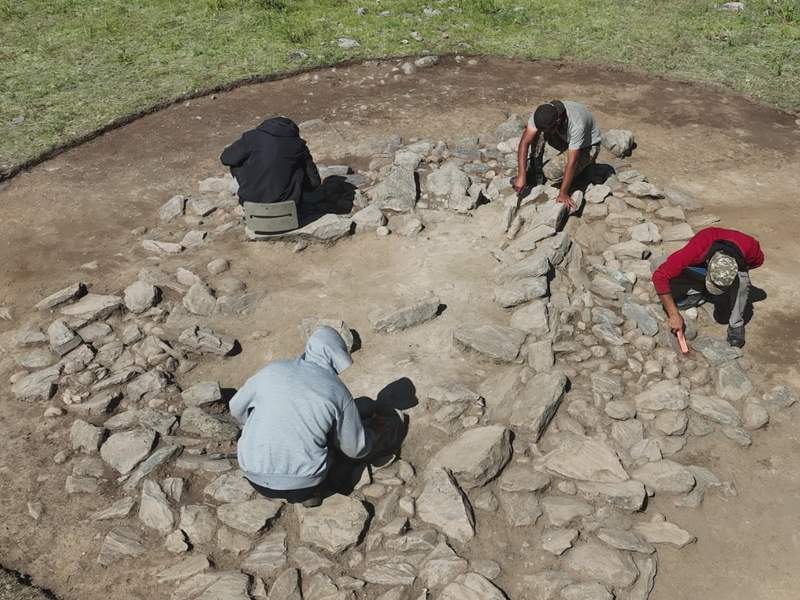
pixel 272 163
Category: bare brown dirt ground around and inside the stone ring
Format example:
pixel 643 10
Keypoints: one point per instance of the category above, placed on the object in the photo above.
pixel 739 158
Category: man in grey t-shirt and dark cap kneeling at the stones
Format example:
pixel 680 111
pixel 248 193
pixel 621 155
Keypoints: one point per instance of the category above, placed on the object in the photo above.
pixel 569 143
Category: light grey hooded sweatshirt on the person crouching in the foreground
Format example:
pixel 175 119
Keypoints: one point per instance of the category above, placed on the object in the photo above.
pixel 291 409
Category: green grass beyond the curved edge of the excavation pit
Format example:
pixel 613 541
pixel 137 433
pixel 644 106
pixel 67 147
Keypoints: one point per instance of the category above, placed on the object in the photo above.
pixel 70 66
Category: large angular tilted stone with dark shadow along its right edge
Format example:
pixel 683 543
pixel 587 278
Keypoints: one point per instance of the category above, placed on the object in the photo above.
pixel 532 404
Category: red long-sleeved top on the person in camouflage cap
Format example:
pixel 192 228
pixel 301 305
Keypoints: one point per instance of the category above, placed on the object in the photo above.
pixel 693 254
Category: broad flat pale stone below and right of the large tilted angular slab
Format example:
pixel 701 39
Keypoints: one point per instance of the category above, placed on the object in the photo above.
pixel 586 460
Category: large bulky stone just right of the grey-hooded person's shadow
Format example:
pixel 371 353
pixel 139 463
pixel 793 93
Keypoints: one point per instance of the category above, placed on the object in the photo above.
pixel 476 457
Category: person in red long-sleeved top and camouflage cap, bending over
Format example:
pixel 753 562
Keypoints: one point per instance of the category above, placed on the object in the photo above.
pixel 713 266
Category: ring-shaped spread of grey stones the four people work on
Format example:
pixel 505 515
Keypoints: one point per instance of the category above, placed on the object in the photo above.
pixel 569 444
